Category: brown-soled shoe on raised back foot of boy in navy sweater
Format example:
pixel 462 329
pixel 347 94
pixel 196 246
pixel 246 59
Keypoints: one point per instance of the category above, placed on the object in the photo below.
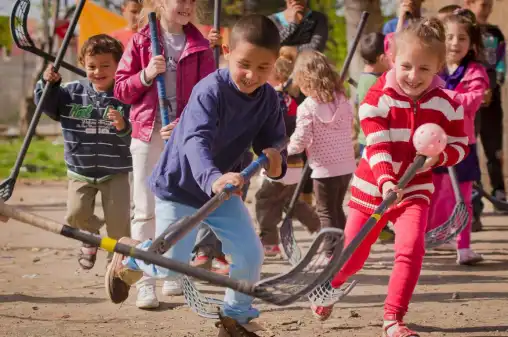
pixel 119 279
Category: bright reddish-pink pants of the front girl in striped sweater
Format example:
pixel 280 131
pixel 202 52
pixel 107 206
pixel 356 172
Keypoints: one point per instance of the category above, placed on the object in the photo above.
pixel 410 221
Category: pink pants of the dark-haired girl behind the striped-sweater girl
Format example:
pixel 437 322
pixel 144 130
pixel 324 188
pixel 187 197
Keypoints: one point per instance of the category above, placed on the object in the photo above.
pixel 442 204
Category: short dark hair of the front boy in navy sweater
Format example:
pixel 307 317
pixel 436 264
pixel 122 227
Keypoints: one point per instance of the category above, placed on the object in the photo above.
pixel 258 30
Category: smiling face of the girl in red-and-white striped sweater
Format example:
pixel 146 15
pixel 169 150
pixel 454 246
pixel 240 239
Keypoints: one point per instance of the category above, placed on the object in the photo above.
pixel 415 67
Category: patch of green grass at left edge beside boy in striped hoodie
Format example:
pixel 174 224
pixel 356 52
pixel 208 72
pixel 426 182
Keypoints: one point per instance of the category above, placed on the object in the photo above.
pixel 42 161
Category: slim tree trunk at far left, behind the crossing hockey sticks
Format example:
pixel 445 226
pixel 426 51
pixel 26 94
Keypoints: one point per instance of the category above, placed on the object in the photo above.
pixel 27 105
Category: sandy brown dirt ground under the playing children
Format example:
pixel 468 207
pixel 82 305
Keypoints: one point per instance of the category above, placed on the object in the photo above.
pixel 44 293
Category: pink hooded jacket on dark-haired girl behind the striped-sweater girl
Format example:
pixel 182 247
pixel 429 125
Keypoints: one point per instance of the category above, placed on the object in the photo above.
pixel 469 93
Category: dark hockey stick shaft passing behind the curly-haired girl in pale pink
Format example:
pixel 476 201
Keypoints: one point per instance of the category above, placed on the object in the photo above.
pixel 343 72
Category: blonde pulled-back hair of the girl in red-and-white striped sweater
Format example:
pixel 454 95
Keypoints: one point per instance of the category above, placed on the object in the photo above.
pixel 429 32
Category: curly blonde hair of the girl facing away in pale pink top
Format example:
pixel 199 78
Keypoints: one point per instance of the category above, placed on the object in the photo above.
pixel 316 76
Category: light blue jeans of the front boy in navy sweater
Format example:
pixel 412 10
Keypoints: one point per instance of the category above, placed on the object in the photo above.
pixel 232 224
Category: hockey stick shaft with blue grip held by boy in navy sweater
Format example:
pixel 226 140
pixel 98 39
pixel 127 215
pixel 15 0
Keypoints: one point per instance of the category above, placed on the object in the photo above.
pixel 179 229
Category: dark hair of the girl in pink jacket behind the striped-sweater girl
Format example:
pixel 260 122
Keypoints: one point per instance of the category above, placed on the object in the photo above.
pixel 467 18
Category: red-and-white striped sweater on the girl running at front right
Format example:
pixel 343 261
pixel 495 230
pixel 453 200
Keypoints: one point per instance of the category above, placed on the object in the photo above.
pixel 389 118
